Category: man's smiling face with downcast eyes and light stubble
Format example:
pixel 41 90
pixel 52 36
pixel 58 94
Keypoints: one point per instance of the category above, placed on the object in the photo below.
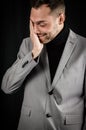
pixel 45 24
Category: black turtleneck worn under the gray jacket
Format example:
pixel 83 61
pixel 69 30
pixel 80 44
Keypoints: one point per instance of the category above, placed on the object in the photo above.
pixel 55 49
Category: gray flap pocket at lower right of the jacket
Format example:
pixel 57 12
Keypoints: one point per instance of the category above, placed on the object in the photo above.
pixel 73 119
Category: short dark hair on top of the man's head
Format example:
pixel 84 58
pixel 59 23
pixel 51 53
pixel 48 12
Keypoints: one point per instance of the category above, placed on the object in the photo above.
pixel 52 4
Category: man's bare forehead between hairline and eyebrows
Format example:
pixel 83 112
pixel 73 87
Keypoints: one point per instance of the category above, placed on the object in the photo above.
pixel 41 13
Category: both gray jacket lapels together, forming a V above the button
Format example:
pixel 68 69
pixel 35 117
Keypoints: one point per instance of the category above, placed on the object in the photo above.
pixel 68 50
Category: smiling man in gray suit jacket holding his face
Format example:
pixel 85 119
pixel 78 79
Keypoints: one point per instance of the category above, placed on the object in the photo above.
pixel 51 66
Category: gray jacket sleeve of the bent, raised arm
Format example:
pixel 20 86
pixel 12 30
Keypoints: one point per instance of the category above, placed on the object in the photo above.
pixel 16 74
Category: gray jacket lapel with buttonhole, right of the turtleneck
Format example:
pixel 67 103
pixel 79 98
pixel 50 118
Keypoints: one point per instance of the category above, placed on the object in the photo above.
pixel 69 48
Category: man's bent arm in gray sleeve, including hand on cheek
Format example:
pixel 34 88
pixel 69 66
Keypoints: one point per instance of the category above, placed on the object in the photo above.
pixel 25 62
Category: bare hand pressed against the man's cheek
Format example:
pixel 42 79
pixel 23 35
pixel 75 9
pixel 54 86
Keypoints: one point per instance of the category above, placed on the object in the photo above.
pixel 37 46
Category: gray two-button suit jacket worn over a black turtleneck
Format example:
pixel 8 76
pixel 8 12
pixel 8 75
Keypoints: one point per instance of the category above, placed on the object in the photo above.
pixel 46 106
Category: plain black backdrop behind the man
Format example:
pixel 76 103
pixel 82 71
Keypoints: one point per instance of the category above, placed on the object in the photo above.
pixel 15 27
